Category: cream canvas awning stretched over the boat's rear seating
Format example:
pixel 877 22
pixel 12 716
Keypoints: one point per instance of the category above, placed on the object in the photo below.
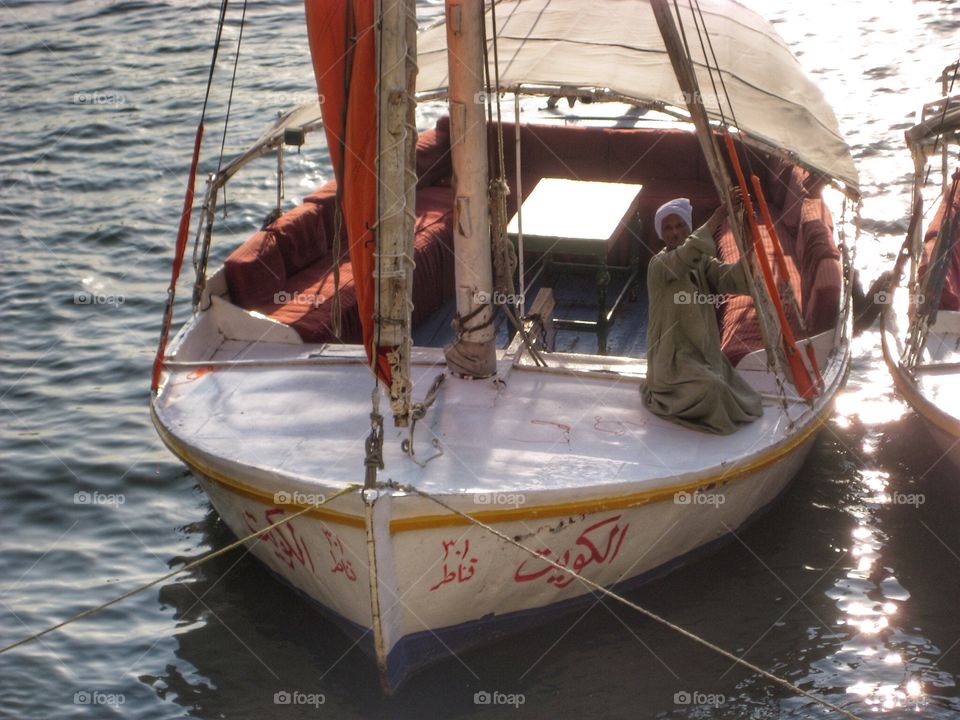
pixel 616 46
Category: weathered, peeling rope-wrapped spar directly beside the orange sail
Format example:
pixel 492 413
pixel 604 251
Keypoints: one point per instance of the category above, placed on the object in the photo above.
pixel 396 170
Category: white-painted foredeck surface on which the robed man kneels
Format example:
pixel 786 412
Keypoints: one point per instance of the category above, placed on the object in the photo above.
pixel 297 416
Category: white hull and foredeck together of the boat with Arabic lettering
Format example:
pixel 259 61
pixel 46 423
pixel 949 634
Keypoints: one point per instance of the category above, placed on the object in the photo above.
pixel 444 584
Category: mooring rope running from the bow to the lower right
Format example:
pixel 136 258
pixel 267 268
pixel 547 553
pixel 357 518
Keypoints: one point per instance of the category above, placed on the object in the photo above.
pixel 632 605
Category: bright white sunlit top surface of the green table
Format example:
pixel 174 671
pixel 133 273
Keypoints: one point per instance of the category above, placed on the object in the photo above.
pixel 587 210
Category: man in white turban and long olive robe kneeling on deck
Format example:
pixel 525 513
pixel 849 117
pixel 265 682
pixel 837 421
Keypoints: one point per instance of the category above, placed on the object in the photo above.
pixel 689 381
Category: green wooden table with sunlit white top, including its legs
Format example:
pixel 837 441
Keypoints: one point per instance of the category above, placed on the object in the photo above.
pixel 582 218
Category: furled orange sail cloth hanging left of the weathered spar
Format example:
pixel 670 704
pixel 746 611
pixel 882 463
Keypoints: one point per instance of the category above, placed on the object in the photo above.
pixel 343 47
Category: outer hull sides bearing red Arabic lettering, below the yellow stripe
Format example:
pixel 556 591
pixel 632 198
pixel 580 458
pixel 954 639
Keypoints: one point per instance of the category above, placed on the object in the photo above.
pixel 445 589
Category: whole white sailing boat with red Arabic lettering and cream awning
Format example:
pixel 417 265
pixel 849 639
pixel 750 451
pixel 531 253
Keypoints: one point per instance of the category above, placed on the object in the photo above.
pixel 274 391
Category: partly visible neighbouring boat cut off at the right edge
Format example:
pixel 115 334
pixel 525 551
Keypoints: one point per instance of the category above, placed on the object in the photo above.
pixel 921 313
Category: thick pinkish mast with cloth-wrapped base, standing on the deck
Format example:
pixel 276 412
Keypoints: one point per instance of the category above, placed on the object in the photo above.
pixel 473 354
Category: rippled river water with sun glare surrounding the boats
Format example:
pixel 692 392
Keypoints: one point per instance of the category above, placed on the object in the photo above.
pixel 849 586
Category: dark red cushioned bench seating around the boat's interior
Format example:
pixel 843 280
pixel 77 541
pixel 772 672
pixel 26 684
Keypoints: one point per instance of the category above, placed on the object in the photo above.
pixel 285 271
